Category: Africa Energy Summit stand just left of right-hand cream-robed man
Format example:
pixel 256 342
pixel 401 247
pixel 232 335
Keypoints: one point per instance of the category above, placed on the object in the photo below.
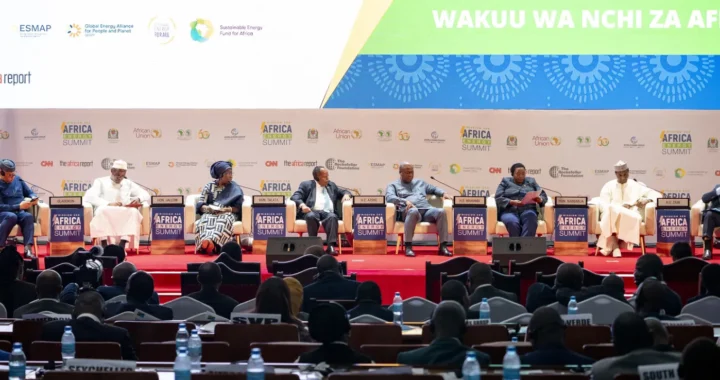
pixel 571 226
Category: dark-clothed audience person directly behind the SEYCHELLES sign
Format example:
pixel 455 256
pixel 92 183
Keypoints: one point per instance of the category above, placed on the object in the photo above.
pixel 87 325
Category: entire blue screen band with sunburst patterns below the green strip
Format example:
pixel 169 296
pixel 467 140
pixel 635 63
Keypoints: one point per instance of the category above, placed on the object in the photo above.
pixel 530 82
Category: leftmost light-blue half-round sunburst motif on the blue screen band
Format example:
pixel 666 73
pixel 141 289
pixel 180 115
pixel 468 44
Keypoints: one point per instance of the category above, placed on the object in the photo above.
pixel 408 77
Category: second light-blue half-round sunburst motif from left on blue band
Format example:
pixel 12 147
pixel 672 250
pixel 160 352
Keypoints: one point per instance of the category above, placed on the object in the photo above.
pixel 496 78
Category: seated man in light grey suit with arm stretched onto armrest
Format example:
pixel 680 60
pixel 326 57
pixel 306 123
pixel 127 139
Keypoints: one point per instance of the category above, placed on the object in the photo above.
pixel 410 197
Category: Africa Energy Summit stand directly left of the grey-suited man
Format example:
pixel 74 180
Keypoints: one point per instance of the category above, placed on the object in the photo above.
pixel 369 231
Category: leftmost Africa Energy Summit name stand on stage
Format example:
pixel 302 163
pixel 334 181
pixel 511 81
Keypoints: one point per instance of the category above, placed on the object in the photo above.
pixel 67 224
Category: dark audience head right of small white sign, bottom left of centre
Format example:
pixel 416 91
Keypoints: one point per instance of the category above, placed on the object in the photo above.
pixel 328 323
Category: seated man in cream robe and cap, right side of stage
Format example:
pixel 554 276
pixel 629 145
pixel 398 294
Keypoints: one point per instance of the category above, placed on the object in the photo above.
pixel 621 209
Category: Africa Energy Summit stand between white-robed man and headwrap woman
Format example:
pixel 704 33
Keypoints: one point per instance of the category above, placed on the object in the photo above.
pixel 167 225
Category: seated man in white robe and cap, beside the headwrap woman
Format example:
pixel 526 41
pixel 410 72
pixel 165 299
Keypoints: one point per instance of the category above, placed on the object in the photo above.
pixel 116 201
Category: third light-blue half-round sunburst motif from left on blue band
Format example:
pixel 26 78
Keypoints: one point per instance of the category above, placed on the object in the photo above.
pixel 585 78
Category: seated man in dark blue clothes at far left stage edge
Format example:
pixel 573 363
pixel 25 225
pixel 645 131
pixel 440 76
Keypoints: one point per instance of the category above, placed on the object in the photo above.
pixel 16 199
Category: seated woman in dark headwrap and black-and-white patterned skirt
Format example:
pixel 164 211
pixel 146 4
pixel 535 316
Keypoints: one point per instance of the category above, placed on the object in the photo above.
pixel 220 205
